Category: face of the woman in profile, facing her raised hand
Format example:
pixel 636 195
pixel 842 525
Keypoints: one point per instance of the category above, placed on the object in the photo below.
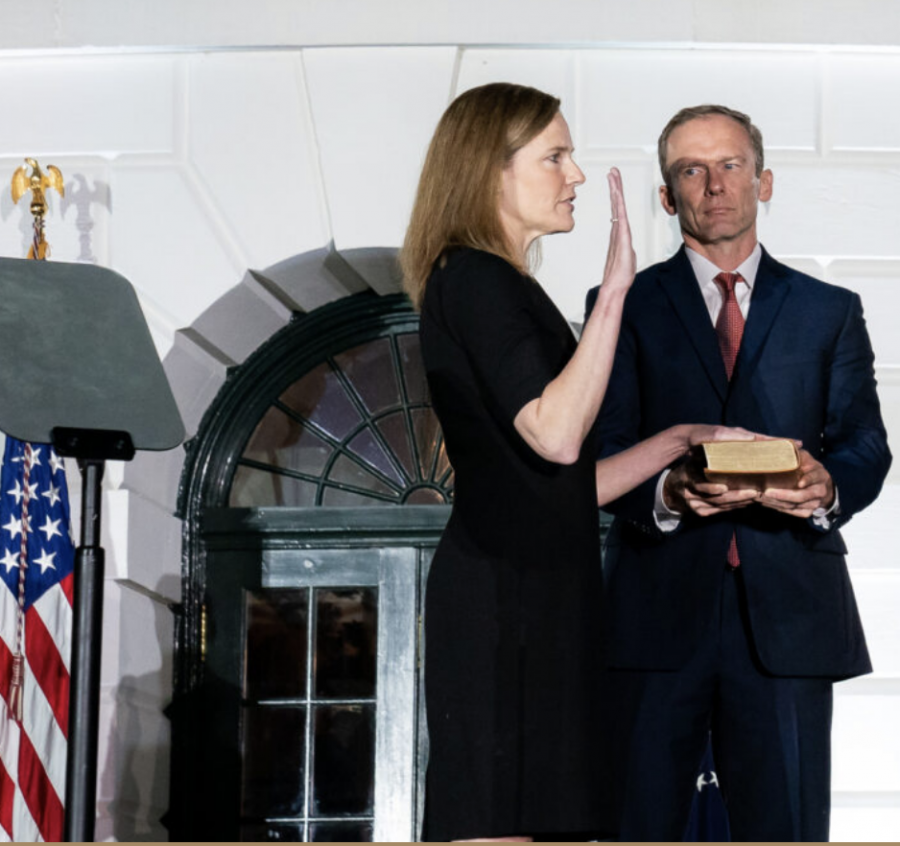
pixel 537 190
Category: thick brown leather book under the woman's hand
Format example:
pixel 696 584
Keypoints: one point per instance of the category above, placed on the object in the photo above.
pixel 752 464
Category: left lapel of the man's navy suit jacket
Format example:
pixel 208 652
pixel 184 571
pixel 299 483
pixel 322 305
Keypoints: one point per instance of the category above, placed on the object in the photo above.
pixel 680 285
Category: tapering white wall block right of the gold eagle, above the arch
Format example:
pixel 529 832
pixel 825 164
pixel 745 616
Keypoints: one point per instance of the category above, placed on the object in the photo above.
pixel 257 162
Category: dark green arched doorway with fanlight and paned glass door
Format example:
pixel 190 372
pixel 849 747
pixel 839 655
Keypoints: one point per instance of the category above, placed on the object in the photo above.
pixel 313 494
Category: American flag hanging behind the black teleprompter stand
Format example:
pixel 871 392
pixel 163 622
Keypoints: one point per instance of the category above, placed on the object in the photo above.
pixel 37 557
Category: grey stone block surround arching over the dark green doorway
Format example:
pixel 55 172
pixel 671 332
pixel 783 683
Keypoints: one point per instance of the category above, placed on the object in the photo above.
pixel 197 366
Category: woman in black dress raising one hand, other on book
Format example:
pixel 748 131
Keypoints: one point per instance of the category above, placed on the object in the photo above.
pixel 513 603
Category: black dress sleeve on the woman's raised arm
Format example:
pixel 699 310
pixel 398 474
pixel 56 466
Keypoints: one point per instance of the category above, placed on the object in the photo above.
pixel 489 307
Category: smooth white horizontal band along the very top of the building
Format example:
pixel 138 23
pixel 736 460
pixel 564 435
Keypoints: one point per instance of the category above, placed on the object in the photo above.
pixel 218 23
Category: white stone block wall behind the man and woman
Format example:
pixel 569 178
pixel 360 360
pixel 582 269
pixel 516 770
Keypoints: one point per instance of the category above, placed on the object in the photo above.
pixel 202 165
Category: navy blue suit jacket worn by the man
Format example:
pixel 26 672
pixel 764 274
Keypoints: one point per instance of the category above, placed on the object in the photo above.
pixel 805 371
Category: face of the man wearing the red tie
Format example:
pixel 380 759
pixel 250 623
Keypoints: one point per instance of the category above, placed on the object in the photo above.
pixel 714 188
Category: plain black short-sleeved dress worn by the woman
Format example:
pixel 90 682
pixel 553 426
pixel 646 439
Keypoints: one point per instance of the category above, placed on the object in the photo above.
pixel 514 599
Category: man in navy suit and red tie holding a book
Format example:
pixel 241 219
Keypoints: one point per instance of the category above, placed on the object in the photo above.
pixel 731 610
